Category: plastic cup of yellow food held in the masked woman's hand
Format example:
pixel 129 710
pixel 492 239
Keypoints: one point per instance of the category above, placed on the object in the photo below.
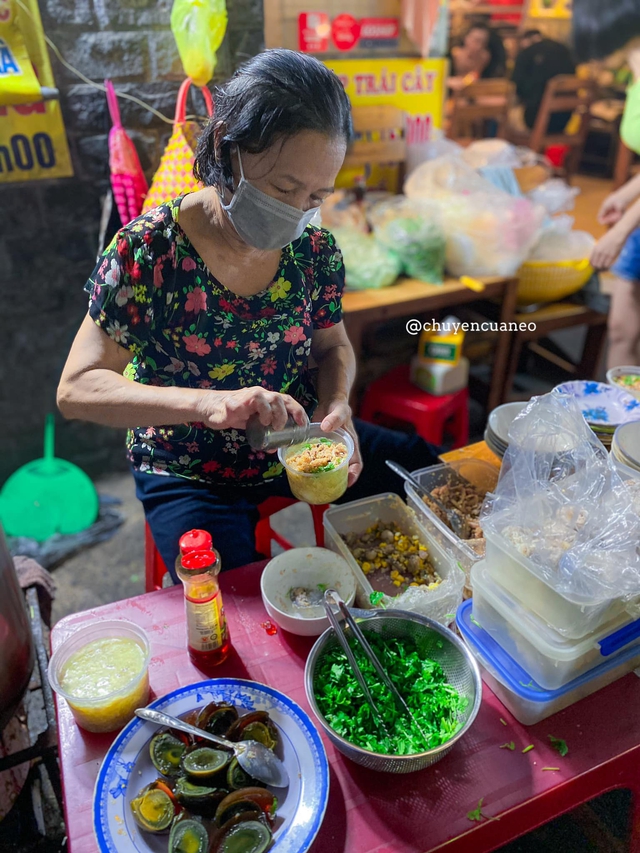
pixel 327 482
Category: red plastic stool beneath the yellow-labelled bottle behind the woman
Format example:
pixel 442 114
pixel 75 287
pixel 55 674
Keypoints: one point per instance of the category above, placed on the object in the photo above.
pixel 394 397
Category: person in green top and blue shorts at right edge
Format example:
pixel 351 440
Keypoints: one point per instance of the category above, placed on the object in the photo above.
pixel 599 30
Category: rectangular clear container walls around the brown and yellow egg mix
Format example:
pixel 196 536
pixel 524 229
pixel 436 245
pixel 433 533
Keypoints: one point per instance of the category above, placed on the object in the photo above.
pixel 439 603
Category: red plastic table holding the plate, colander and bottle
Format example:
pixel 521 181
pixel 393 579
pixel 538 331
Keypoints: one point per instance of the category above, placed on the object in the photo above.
pixel 375 812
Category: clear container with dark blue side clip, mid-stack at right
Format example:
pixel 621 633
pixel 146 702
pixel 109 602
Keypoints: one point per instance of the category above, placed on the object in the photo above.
pixel 550 659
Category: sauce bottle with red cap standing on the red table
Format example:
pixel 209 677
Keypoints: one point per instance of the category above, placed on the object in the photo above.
pixel 207 630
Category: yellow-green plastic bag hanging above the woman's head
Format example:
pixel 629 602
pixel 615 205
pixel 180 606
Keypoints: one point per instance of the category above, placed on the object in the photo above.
pixel 198 27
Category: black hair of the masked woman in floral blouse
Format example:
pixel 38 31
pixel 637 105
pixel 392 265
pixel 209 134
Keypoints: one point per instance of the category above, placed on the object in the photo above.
pixel 272 97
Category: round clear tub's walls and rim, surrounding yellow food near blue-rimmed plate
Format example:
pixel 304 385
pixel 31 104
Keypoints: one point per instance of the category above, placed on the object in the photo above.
pixel 107 710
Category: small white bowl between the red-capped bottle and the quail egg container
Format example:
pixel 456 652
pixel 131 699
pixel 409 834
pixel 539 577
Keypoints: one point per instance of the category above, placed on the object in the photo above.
pixel 304 567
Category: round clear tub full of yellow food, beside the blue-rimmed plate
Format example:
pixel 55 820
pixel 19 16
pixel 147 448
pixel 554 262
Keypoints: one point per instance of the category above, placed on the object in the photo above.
pixel 102 671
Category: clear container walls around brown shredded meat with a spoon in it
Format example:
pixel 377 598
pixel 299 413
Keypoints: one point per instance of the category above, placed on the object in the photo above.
pixel 480 474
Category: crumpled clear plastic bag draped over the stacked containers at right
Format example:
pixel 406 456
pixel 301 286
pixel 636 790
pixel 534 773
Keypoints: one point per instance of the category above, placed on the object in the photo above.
pixel 561 505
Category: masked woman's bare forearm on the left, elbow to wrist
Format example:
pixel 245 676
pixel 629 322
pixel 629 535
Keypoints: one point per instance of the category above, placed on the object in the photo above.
pixel 102 396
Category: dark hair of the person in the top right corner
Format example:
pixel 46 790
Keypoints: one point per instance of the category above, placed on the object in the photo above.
pixel 601 27
